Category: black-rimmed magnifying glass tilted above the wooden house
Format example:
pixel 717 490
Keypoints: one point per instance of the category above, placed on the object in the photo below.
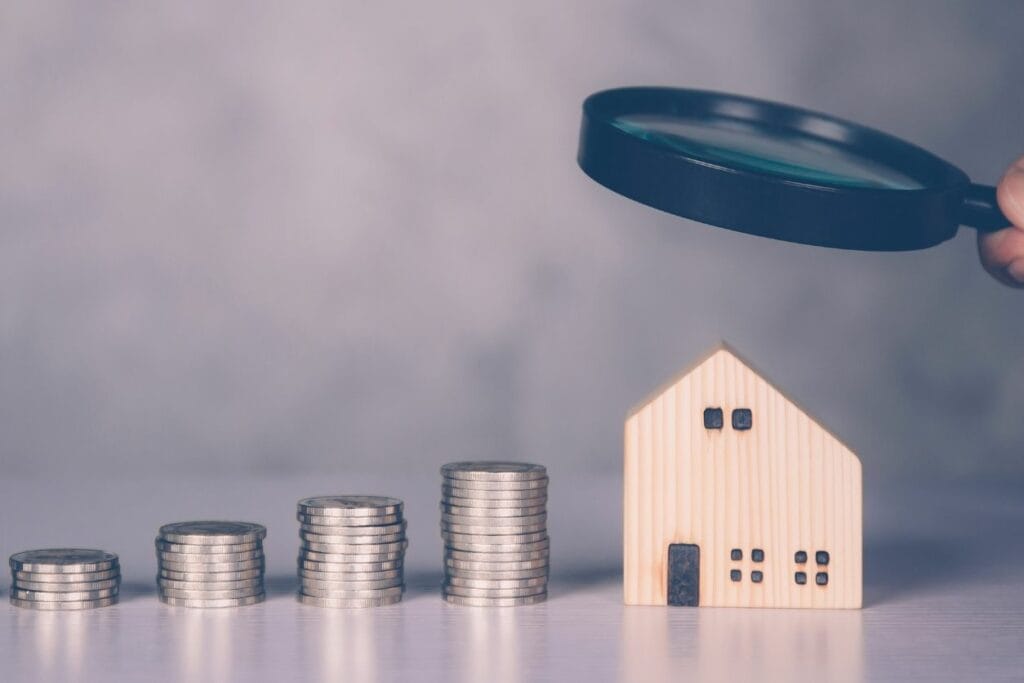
pixel 778 172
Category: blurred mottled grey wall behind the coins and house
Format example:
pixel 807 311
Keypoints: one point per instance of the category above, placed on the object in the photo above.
pixel 349 237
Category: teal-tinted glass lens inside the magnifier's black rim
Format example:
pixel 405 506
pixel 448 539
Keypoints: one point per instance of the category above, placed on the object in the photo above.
pixel 787 153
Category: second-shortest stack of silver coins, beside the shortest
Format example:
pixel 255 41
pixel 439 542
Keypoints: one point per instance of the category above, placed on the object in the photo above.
pixel 210 564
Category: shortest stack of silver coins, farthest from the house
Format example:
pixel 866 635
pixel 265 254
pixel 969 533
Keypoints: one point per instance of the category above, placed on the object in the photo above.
pixel 65 579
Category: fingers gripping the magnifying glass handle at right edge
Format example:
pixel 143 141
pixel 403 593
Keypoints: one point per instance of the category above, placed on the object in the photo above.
pixel 1003 252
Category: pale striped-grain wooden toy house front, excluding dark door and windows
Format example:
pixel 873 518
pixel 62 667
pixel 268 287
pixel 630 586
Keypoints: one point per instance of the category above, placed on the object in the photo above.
pixel 785 486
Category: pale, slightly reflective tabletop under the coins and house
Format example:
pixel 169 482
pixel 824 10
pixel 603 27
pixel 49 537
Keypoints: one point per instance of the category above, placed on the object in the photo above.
pixel 945 591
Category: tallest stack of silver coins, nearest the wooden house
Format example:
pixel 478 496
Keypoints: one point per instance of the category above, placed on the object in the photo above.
pixel 494 524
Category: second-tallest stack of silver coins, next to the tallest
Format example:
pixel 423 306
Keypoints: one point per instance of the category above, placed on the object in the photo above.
pixel 352 551
